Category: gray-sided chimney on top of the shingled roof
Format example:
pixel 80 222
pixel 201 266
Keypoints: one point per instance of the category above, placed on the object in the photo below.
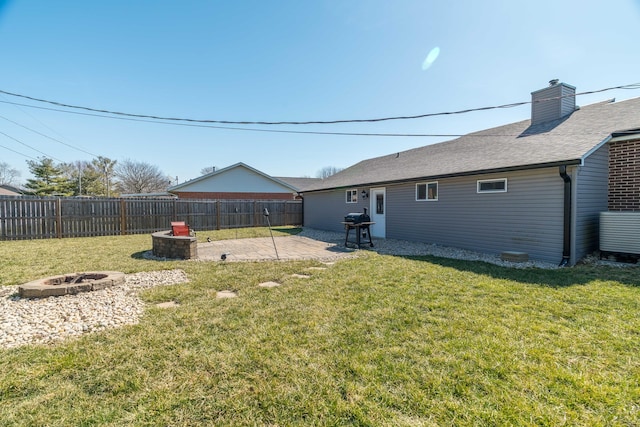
pixel 553 102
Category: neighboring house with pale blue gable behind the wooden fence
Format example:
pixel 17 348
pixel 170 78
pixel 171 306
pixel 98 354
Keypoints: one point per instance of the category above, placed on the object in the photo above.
pixel 238 181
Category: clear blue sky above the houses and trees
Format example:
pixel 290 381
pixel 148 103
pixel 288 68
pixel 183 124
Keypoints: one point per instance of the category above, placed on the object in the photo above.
pixel 291 61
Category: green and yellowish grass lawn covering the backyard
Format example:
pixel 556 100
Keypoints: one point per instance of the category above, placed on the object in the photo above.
pixel 375 340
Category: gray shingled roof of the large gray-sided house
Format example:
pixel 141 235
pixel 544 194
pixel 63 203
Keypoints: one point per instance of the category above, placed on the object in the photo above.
pixel 511 147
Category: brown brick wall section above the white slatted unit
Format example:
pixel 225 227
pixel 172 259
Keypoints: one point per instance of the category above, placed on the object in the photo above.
pixel 624 176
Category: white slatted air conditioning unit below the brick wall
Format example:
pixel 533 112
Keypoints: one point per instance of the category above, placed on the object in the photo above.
pixel 620 232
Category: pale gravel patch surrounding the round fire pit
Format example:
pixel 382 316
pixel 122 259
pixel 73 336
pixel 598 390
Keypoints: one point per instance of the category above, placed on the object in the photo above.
pixel 39 321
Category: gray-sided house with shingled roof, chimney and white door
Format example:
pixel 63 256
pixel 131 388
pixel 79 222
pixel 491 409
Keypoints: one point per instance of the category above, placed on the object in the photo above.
pixel 536 186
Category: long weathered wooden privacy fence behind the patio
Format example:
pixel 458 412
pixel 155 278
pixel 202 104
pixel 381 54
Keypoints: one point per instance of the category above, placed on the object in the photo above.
pixel 44 218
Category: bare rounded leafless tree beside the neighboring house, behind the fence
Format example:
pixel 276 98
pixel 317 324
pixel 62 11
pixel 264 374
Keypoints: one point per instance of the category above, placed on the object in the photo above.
pixel 140 177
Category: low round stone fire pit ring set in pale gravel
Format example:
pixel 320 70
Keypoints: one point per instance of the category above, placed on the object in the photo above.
pixel 70 284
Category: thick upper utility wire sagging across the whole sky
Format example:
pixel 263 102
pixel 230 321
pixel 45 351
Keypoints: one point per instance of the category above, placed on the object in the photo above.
pixel 317 122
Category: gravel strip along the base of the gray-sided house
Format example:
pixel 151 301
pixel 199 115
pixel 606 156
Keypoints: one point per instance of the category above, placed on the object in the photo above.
pixel 403 247
